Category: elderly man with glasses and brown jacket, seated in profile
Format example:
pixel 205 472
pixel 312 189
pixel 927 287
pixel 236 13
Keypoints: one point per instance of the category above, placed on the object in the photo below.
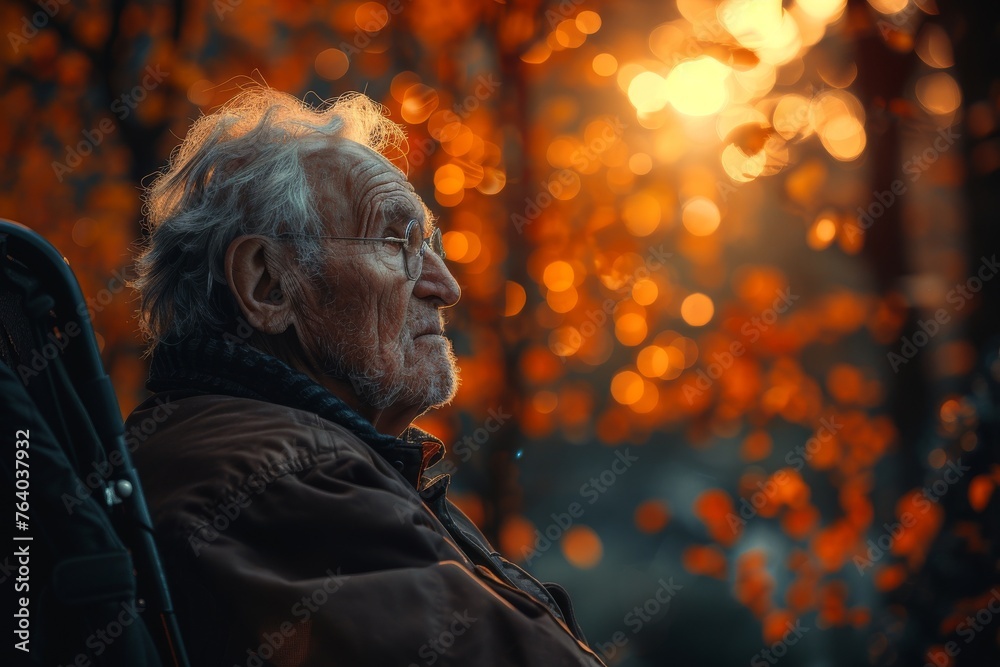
pixel 292 292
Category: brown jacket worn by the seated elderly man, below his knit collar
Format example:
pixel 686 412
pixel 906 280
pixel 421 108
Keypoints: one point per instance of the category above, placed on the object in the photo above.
pixel 287 540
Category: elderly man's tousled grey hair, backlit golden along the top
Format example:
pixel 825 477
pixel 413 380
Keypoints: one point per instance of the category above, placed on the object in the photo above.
pixel 240 170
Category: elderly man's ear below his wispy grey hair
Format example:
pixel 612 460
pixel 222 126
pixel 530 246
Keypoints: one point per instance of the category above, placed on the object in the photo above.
pixel 252 272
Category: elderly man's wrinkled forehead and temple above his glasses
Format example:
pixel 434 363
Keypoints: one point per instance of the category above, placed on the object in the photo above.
pixel 359 191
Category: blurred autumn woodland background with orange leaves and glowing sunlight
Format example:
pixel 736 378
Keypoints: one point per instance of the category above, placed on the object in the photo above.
pixel 729 332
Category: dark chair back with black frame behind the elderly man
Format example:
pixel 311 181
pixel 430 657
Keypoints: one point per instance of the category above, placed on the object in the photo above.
pixel 85 580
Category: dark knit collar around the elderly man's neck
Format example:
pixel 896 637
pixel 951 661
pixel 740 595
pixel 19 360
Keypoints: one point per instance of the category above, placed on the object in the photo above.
pixel 212 365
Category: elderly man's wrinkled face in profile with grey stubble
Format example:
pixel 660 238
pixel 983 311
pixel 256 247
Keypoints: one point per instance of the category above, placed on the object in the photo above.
pixel 371 325
